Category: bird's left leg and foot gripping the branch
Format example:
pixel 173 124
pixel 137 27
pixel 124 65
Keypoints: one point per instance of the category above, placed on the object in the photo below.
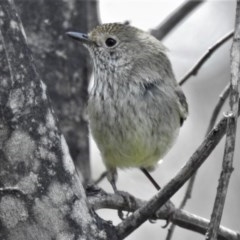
pixel 130 201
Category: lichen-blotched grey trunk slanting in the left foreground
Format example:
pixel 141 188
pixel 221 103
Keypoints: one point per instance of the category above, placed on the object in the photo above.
pixel 41 196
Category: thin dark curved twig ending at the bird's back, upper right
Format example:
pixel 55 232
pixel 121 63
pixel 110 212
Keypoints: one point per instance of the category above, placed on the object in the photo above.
pixel 194 70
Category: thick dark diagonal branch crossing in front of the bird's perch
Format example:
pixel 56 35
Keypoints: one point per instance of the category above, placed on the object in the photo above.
pixel 142 214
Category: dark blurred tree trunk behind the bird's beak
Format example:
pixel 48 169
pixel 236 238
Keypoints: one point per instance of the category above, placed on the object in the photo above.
pixel 63 64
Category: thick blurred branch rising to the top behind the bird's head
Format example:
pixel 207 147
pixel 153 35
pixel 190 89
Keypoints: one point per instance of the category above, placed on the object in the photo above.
pixel 174 18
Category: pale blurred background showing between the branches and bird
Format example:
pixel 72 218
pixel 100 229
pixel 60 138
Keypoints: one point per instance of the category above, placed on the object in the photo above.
pixel 186 43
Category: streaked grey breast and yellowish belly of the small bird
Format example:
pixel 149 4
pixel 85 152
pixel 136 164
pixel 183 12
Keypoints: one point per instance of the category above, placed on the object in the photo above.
pixel 128 128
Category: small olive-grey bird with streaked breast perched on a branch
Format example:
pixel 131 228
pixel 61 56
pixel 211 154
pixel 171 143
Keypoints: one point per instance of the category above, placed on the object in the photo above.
pixel 135 106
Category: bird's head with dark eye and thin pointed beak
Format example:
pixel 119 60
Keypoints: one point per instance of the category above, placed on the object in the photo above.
pixel 117 44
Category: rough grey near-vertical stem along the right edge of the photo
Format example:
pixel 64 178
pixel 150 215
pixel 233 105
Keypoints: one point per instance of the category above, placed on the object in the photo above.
pixel 227 166
